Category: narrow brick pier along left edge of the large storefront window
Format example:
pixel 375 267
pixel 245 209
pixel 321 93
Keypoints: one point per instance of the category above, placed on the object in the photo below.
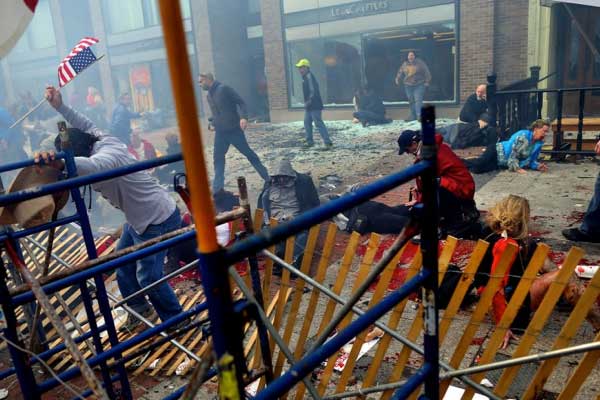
pixel 274 54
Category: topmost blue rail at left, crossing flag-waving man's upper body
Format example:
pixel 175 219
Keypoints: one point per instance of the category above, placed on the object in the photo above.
pixel 70 183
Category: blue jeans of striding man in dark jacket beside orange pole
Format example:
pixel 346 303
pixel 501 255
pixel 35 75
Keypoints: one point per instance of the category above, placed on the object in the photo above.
pixel 237 139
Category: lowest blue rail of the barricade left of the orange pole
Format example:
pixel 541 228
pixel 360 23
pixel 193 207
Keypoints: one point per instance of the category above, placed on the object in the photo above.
pixel 110 353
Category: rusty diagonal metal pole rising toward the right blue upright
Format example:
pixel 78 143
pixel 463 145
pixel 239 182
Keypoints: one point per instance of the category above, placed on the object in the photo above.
pixel 405 235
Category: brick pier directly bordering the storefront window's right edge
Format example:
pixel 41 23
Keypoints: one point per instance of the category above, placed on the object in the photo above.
pixel 476 55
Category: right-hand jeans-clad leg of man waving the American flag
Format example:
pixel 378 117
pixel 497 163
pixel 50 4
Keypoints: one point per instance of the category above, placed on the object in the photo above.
pixel 150 269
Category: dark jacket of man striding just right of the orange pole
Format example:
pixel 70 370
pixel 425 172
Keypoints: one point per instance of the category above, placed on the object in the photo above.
pixel 224 103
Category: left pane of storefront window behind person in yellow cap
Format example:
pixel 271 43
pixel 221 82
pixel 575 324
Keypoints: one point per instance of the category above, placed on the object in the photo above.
pixel 335 62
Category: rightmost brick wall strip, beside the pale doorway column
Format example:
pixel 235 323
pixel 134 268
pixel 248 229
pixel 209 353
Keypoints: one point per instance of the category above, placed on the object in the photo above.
pixel 510 40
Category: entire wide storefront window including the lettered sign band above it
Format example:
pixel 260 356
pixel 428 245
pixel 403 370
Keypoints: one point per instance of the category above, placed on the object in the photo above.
pixel 366 42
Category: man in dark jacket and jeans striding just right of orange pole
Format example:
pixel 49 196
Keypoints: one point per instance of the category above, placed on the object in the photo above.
pixel 229 120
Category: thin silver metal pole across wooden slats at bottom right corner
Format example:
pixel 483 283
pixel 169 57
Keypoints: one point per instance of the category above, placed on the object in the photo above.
pixel 582 348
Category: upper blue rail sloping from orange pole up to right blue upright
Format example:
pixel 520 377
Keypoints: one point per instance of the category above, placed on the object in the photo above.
pixel 259 241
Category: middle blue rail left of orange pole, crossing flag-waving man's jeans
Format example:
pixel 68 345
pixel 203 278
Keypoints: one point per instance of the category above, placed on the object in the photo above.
pixel 103 268
